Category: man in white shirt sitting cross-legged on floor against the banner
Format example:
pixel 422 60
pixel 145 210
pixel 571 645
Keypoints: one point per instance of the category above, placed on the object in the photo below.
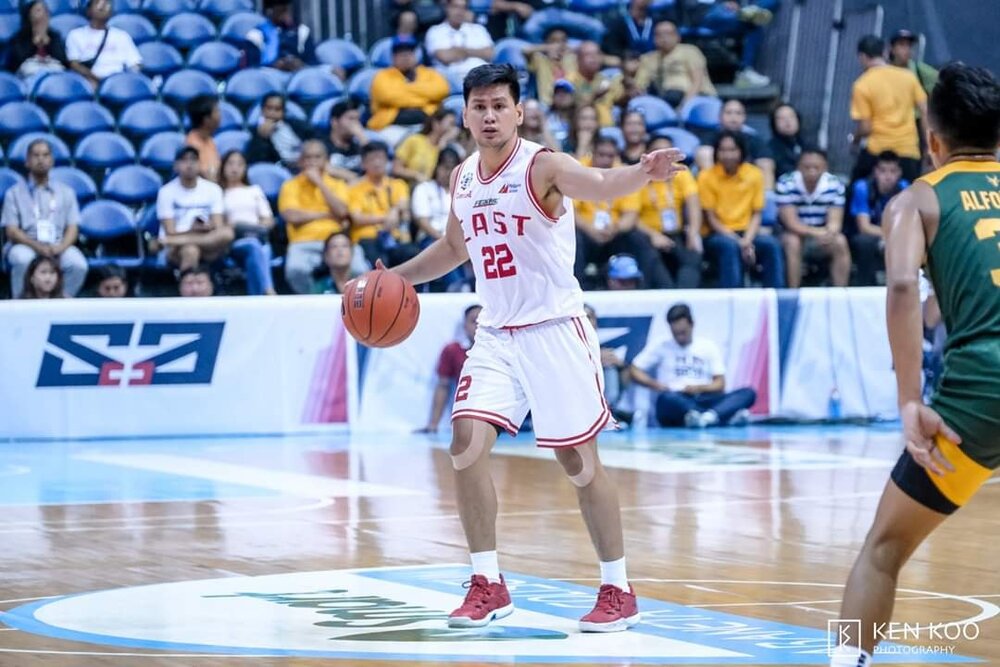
pixel 690 378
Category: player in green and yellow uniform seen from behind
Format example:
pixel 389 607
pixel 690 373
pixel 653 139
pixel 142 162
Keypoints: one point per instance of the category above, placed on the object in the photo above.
pixel 950 218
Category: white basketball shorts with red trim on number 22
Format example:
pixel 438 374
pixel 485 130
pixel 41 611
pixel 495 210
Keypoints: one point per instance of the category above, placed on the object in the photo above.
pixel 552 369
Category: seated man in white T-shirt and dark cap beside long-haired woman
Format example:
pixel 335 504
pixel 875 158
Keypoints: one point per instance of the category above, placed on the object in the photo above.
pixel 191 212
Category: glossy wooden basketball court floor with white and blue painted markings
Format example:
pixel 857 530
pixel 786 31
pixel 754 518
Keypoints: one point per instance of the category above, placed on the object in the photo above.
pixel 232 552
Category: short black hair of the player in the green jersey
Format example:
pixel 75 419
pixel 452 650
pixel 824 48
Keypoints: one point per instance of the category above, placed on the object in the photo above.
pixel 965 107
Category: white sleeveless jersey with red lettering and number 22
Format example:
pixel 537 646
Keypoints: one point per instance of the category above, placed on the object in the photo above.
pixel 523 258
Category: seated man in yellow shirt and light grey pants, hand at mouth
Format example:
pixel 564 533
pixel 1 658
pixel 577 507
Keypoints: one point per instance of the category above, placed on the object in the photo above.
pixel 313 205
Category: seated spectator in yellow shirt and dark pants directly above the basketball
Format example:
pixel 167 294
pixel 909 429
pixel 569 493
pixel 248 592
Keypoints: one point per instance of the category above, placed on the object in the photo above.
pixel 379 206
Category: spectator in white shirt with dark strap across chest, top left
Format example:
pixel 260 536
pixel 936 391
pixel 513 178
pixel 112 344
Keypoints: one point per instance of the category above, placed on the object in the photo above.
pixel 97 50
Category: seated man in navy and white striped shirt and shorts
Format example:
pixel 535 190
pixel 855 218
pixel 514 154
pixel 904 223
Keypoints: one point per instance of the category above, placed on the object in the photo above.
pixel 811 209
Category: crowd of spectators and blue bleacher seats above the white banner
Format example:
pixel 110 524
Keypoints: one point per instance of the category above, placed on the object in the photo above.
pixel 170 142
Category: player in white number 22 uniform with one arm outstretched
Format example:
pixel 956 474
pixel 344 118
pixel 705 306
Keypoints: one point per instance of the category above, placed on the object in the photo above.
pixel 512 215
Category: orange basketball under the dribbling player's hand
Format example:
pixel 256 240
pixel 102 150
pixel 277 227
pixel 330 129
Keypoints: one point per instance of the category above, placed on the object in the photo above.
pixel 380 308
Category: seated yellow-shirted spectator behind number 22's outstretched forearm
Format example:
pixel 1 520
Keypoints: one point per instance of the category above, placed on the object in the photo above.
pixel 605 228
